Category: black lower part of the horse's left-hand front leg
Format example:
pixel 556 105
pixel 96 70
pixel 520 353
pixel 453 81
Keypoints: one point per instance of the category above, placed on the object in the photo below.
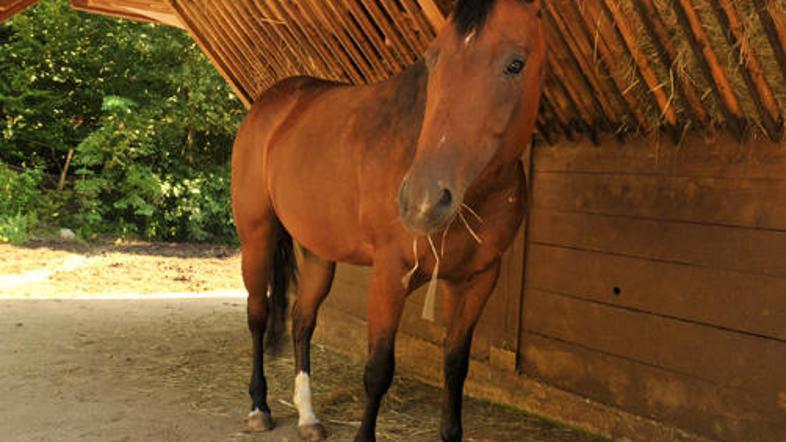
pixel 377 379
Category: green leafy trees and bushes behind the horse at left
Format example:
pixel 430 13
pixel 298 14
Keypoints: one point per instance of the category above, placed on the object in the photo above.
pixel 149 119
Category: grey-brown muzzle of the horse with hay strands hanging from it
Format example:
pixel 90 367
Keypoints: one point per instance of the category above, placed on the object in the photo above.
pixel 426 207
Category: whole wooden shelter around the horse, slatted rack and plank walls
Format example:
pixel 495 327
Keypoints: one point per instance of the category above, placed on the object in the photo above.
pixel 645 296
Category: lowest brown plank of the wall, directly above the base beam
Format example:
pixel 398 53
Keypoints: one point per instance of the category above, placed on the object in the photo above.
pixel 719 412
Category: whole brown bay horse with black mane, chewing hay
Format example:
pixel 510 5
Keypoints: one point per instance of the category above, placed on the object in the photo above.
pixel 430 158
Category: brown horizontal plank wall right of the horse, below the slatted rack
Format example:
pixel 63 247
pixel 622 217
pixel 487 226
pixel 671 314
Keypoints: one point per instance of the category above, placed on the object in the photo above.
pixel 656 281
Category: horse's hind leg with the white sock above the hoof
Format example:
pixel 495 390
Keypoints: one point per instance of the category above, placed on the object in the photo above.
pixel 313 287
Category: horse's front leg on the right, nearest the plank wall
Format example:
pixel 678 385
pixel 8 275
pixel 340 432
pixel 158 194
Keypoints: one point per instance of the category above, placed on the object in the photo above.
pixel 464 302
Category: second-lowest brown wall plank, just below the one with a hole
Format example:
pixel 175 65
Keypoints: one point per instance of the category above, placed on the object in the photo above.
pixel 724 358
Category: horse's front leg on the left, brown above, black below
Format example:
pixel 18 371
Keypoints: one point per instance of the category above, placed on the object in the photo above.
pixel 385 305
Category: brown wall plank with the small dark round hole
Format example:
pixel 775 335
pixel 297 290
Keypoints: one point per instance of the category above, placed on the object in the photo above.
pixel 732 301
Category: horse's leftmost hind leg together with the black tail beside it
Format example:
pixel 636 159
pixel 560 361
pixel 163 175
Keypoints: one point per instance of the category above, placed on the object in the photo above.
pixel 266 265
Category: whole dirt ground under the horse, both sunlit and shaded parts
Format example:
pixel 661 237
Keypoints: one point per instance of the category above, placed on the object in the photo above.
pixel 109 343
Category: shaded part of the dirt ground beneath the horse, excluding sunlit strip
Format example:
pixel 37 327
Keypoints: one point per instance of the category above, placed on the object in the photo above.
pixel 176 370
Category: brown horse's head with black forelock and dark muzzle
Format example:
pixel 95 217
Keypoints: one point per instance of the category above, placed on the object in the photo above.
pixel 486 69
